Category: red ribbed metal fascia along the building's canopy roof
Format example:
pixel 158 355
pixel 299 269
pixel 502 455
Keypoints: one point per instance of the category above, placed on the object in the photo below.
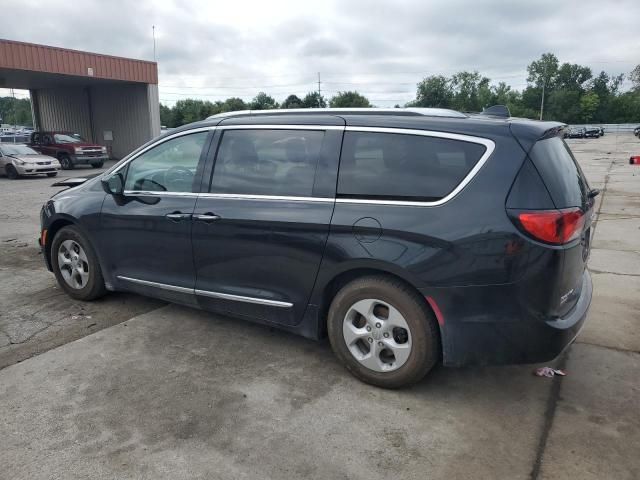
pixel 43 58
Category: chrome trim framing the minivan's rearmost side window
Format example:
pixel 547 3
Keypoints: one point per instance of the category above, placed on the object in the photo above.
pixel 489 145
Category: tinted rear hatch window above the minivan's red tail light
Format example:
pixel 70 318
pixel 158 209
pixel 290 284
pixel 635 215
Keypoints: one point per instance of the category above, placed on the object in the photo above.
pixel 560 172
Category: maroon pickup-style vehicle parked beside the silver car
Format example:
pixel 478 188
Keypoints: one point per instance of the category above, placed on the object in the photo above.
pixel 69 148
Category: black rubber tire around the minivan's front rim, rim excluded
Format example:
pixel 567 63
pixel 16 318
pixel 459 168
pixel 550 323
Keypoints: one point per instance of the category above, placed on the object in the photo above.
pixel 94 287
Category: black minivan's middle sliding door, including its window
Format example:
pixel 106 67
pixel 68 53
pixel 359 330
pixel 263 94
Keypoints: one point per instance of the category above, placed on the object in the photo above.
pixel 259 233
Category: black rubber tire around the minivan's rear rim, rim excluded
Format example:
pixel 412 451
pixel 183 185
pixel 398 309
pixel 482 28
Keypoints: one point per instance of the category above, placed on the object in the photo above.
pixel 425 337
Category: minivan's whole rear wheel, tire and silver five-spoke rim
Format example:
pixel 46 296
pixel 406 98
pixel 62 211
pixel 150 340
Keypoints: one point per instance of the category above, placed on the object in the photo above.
pixel 383 332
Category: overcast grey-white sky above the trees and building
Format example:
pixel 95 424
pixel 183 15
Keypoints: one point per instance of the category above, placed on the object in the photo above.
pixel 216 49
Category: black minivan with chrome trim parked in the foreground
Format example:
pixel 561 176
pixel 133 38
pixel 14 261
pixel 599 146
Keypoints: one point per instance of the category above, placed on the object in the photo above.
pixel 408 236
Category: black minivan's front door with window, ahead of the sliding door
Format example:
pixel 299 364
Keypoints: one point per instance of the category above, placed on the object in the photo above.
pixel 147 231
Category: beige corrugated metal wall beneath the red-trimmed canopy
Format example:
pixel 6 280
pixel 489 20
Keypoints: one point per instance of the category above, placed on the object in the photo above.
pixel 129 111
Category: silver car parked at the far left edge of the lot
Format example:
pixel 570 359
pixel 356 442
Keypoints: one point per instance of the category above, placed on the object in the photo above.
pixel 18 160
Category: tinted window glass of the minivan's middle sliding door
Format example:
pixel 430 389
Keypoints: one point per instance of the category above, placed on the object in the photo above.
pixel 267 162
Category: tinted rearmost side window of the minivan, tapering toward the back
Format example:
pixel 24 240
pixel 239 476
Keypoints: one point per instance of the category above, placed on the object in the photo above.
pixel 392 166
